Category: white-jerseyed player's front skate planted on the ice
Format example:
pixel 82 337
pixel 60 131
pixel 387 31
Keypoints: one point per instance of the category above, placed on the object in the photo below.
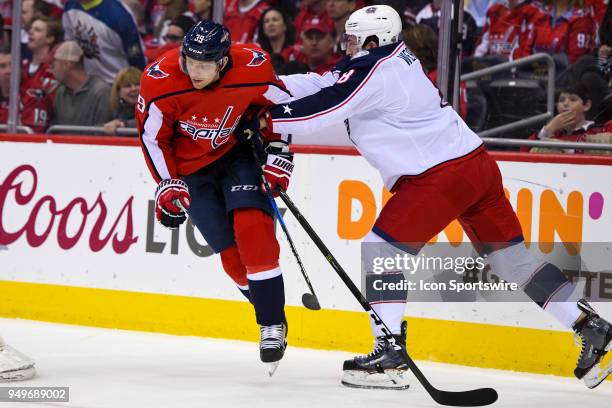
pixel 383 368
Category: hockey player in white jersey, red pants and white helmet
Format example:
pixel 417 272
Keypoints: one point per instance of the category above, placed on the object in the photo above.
pixel 439 171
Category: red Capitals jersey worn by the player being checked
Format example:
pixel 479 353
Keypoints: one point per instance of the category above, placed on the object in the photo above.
pixel 183 129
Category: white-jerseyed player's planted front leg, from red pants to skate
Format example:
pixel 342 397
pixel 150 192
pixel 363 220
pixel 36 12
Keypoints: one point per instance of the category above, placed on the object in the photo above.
pixel 420 208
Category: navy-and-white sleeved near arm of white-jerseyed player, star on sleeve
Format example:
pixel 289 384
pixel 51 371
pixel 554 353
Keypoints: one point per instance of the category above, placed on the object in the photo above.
pixel 356 91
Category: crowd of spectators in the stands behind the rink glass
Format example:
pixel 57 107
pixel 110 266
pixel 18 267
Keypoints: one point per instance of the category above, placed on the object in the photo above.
pixel 82 60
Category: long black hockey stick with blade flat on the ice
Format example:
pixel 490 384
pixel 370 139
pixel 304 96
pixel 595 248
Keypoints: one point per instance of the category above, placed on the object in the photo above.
pixel 471 398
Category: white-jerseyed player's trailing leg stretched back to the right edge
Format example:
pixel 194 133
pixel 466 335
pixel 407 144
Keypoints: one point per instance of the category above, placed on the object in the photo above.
pixel 494 228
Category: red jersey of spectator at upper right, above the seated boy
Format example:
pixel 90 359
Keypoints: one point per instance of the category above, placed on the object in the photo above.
pixel 573 33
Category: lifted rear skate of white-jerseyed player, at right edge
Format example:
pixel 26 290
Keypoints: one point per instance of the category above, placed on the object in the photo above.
pixel 595 336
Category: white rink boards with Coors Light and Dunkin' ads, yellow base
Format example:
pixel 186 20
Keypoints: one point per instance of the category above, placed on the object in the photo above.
pixel 79 244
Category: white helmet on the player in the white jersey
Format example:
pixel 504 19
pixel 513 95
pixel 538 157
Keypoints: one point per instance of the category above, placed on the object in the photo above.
pixel 382 21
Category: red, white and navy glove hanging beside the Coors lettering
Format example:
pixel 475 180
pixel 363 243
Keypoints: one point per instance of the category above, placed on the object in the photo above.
pixel 172 200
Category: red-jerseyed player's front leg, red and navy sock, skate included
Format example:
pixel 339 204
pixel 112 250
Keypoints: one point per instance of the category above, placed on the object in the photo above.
pixel 258 249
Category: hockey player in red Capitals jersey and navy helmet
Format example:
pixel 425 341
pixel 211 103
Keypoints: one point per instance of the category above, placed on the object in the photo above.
pixel 191 101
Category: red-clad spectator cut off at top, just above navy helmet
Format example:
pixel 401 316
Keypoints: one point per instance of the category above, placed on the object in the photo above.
pixel 242 18
